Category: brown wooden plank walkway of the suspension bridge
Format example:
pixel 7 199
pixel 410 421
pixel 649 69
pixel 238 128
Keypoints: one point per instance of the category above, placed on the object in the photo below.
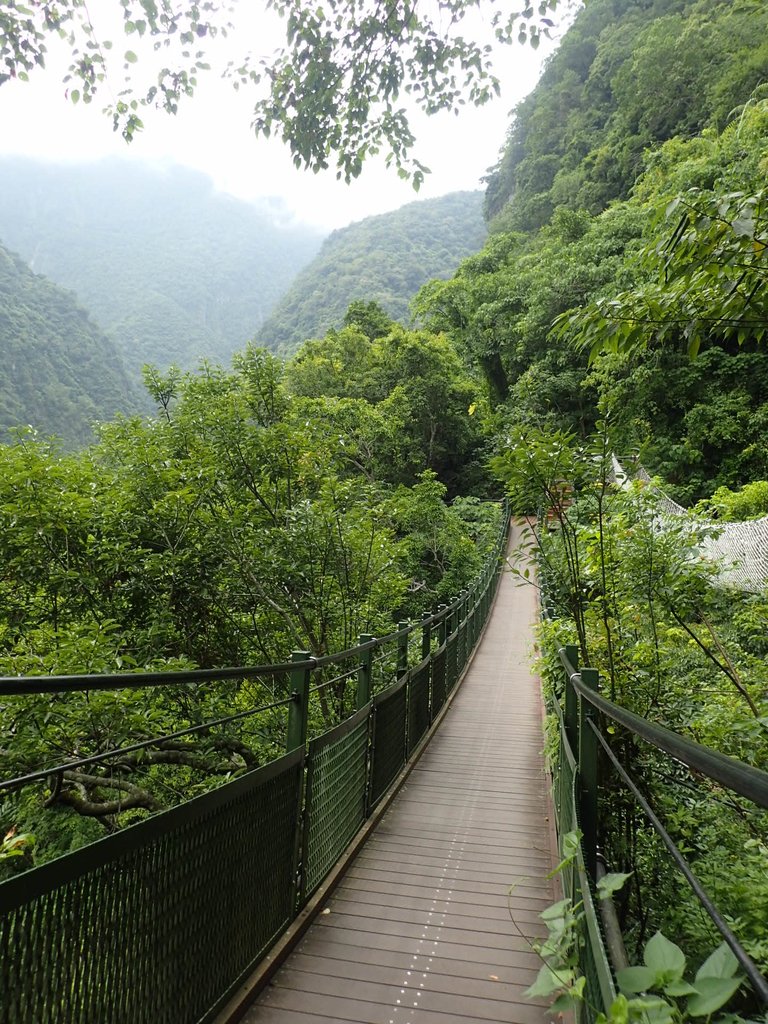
pixel 423 929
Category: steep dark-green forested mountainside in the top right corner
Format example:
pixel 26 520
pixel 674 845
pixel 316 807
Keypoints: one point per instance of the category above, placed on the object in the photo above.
pixel 628 75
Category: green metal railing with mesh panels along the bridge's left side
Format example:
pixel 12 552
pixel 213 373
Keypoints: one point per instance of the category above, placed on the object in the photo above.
pixel 162 922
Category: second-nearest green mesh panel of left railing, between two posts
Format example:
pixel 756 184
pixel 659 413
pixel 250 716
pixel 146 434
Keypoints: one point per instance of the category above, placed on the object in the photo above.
pixel 337 766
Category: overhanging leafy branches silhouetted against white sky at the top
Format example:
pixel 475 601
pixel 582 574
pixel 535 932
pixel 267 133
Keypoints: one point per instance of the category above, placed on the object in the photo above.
pixel 334 92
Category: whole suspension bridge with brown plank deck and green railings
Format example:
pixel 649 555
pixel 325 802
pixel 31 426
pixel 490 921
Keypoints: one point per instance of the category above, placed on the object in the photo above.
pixel 391 869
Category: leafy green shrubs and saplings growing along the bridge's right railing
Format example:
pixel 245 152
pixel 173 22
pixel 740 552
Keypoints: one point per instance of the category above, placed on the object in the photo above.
pixel 634 592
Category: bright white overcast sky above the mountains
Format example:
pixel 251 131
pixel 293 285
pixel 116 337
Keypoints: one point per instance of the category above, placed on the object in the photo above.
pixel 212 135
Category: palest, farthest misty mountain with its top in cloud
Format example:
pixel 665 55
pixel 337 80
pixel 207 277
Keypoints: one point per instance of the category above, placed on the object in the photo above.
pixel 173 271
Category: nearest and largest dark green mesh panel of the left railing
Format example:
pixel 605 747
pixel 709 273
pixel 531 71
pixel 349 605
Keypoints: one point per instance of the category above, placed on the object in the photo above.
pixel 158 924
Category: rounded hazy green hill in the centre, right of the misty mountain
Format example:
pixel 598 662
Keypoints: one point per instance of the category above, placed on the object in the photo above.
pixel 385 260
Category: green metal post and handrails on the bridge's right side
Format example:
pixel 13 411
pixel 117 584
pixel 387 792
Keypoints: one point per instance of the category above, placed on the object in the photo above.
pixel 583 748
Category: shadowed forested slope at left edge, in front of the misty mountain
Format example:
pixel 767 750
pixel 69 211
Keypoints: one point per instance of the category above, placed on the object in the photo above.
pixel 59 373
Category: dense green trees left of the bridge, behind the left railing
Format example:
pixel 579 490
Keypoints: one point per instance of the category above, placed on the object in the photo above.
pixel 242 522
